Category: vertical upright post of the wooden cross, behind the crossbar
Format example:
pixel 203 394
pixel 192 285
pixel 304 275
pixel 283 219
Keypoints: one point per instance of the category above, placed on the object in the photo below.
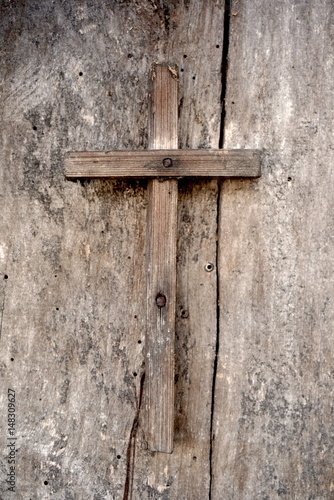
pixel 161 284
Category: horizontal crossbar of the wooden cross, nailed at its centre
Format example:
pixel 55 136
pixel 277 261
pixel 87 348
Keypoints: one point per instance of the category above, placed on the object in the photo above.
pixel 164 163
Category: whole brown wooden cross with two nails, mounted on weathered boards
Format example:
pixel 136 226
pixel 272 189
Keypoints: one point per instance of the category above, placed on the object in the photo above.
pixel 163 163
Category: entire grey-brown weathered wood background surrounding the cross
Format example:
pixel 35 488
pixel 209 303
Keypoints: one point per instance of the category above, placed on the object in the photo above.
pixel 74 76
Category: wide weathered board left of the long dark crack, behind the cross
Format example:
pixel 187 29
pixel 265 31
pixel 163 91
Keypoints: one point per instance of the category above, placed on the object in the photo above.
pixel 72 339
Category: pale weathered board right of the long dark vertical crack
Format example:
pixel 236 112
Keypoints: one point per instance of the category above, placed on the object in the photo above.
pixel 273 421
